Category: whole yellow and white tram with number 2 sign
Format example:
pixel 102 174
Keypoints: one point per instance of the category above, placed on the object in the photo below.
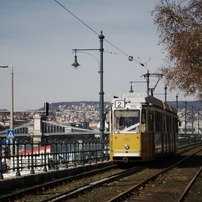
pixel 142 128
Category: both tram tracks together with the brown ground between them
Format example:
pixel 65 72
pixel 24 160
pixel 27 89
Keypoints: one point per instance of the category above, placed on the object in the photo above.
pixel 118 185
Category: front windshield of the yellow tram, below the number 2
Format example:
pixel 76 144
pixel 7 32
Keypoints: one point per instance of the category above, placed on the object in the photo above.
pixel 126 121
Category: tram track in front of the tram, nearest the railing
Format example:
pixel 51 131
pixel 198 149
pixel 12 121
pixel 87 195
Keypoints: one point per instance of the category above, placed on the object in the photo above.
pixel 72 185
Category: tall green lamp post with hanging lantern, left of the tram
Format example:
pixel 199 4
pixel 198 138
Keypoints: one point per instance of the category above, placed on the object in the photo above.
pixel 101 93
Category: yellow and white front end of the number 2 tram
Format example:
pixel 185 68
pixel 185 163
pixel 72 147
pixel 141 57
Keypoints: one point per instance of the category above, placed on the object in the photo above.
pixel 126 127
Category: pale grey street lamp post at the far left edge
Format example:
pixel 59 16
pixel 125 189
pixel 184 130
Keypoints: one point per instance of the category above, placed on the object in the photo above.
pixel 11 101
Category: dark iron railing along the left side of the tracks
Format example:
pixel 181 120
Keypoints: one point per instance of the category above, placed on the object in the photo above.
pixel 50 155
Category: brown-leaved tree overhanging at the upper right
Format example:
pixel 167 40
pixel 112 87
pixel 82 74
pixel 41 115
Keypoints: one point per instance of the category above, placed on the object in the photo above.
pixel 179 23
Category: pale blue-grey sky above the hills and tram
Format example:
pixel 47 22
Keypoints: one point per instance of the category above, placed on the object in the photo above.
pixel 37 38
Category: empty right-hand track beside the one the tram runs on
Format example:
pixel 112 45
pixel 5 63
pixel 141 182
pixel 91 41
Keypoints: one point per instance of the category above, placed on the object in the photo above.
pixel 160 187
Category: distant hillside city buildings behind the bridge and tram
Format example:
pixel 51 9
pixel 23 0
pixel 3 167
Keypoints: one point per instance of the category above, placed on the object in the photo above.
pixel 85 114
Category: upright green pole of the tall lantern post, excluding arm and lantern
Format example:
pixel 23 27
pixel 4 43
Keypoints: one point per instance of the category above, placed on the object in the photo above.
pixel 101 37
